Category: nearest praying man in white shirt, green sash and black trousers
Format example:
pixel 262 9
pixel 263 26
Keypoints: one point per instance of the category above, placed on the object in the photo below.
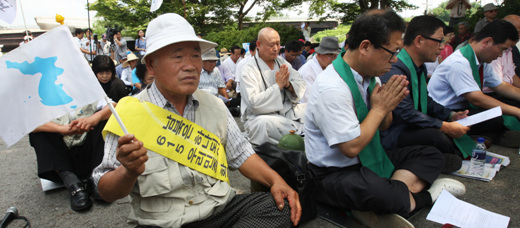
pixel 346 108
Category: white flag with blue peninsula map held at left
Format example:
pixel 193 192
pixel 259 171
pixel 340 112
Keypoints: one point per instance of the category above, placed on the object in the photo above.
pixel 43 80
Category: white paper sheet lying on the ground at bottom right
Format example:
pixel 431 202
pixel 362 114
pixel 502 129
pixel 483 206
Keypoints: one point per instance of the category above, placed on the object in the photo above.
pixel 449 209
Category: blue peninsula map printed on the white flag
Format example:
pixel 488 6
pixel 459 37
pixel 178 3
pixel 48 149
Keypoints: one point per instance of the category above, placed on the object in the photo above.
pixel 51 94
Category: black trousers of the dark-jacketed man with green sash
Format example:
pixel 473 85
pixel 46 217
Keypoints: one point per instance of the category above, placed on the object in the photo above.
pixel 428 137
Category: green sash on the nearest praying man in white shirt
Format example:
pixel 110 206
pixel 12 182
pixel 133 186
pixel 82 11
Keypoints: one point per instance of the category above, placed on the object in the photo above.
pixel 373 156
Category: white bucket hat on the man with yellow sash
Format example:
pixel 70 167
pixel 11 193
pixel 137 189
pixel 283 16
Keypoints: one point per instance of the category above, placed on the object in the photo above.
pixel 171 28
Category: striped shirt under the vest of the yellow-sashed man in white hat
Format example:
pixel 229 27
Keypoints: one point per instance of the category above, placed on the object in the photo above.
pixel 238 149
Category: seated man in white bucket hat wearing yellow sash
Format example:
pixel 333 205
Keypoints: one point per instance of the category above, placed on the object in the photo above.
pixel 174 162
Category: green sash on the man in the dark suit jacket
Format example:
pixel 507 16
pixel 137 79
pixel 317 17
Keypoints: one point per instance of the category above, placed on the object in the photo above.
pixel 464 143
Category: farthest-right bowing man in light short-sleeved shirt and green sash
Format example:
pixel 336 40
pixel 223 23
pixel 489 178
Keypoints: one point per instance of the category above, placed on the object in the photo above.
pixel 457 82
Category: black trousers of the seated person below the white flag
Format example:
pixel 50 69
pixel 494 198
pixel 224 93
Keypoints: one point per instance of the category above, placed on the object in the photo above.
pixel 52 154
